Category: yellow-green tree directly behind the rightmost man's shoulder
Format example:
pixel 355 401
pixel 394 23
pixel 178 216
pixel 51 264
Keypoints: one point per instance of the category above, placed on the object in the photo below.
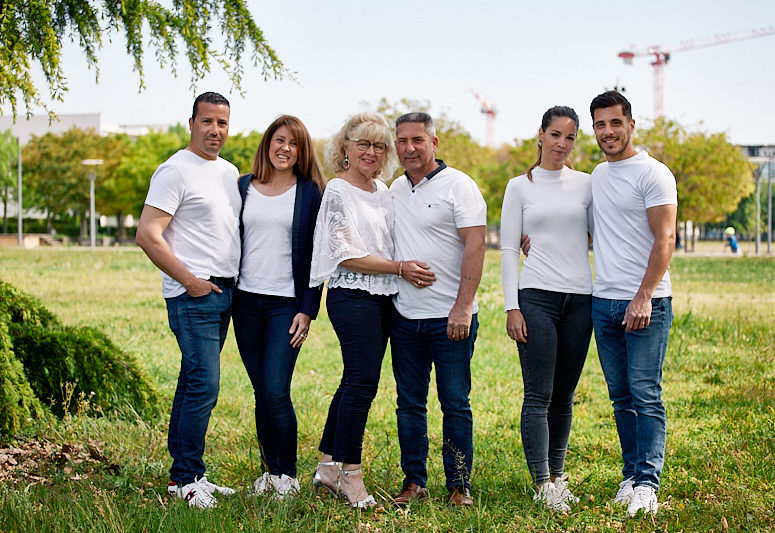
pixel 712 175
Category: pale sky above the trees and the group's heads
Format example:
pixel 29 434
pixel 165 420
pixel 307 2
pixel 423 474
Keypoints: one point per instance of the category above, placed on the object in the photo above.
pixel 522 56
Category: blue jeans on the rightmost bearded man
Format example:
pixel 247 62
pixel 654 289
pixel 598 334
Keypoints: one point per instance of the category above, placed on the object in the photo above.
pixel 632 364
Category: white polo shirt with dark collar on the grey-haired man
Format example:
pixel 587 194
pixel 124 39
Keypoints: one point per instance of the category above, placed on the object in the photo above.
pixel 428 217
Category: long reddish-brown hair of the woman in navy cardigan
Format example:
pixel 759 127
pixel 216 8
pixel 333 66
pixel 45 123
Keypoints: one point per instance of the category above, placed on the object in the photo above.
pixel 307 166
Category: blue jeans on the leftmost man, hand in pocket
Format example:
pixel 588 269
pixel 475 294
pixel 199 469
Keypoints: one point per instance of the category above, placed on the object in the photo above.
pixel 200 325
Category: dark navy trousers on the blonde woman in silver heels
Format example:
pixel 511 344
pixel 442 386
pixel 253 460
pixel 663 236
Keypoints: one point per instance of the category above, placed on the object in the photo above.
pixel 361 322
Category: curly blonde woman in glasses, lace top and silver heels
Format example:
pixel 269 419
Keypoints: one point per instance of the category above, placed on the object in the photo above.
pixel 353 251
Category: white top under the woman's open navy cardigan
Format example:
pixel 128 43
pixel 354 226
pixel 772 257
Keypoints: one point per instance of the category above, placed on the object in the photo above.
pixel 266 251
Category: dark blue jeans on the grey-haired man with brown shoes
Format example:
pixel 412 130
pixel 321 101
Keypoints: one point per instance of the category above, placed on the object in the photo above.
pixel 415 346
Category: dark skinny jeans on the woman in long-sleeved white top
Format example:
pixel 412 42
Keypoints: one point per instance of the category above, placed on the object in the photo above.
pixel 559 327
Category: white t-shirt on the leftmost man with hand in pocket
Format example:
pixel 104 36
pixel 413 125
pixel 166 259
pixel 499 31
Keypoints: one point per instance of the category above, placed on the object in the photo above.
pixel 203 199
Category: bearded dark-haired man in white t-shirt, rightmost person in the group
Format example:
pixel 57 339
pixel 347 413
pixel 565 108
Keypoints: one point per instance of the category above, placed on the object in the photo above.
pixel 635 205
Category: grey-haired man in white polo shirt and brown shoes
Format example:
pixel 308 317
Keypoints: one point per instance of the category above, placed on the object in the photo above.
pixel 440 219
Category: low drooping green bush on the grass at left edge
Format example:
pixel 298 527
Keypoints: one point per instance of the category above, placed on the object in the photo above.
pixel 40 359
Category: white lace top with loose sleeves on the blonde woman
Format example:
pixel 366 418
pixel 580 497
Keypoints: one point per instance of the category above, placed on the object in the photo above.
pixel 351 224
